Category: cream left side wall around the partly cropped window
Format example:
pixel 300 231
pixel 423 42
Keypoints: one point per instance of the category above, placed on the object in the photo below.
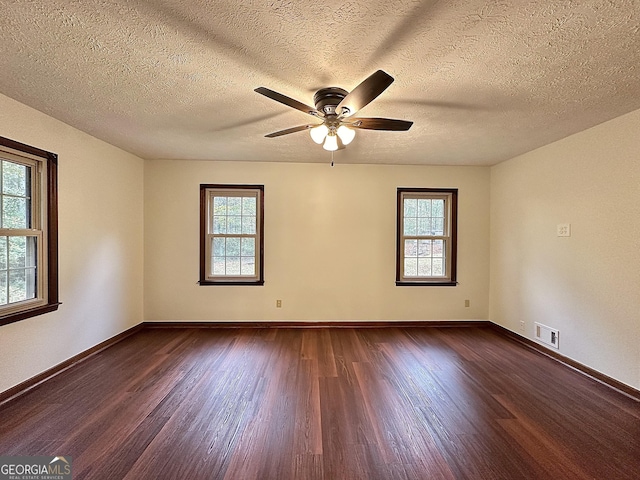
pixel 100 246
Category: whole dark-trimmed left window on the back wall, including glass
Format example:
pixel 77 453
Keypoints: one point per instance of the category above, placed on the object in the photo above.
pixel 231 234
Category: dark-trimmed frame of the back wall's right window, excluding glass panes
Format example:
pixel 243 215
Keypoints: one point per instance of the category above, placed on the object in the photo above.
pixel 449 236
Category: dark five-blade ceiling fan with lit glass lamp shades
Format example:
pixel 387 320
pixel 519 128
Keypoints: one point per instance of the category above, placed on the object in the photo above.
pixel 335 107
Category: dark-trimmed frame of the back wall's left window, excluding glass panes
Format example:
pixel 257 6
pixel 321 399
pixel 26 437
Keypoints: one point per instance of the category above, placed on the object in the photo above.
pixel 207 194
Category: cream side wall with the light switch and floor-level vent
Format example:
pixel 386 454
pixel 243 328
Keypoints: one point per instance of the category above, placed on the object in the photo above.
pixel 587 285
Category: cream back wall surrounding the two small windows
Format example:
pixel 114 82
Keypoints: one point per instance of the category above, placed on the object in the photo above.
pixel 329 244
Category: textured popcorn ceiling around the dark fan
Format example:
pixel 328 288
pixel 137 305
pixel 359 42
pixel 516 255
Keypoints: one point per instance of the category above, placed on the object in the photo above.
pixel 482 81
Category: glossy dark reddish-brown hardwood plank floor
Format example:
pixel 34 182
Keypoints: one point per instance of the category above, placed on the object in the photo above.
pixel 326 403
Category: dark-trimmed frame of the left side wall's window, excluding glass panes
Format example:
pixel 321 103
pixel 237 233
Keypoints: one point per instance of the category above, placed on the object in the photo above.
pixel 43 227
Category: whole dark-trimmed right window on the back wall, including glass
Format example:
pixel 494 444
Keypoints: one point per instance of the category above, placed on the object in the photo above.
pixel 426 236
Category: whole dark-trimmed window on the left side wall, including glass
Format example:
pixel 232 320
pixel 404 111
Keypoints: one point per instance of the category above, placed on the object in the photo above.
pixel 28 231
